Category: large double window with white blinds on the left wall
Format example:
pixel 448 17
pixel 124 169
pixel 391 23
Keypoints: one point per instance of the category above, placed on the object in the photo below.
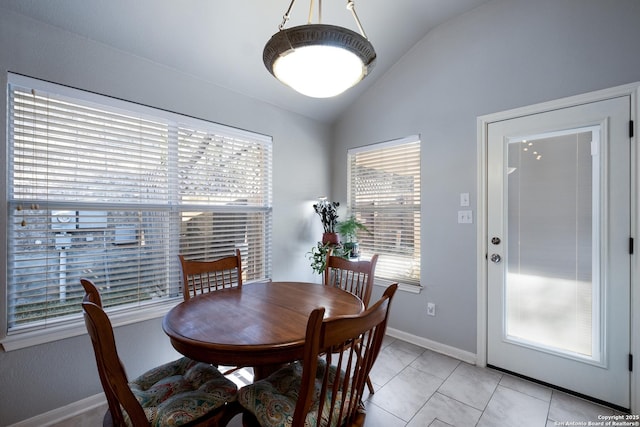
pixel 113 191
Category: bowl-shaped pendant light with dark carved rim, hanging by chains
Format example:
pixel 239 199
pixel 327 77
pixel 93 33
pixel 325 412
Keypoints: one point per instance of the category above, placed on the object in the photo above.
pixel 319 60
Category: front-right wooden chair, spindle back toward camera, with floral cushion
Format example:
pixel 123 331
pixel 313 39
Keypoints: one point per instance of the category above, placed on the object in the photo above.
pixel 325 388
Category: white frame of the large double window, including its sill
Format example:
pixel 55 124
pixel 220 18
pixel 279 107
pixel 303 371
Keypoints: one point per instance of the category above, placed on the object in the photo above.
pixel 120 315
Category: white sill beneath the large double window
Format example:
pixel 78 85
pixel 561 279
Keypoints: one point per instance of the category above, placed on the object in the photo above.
pixel 19 340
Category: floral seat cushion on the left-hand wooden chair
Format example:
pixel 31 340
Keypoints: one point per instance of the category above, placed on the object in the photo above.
pixel 181 391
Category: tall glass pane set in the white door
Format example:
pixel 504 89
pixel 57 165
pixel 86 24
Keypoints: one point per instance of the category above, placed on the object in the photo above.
pixel 552 269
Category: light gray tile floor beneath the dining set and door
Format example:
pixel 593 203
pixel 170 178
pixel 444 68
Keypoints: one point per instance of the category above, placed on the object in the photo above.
pixel 415 387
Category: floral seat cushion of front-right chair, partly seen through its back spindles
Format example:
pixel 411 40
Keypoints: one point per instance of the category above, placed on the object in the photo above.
pixel 273 400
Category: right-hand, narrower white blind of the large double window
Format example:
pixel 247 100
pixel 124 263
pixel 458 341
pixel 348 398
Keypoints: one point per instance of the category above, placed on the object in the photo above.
pixel 225 193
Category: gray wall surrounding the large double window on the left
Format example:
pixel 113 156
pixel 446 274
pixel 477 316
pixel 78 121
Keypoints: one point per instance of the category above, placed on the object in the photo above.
pixel 41 378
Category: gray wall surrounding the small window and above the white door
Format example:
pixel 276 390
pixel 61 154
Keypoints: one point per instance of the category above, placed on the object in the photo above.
pixel 502 55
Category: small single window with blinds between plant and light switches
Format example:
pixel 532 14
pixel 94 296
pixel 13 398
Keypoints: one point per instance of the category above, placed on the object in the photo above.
pixel 384 194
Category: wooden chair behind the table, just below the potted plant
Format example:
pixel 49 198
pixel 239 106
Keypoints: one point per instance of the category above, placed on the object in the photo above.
pixel 352 276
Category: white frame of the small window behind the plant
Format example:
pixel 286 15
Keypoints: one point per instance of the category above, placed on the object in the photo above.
pixel 415 287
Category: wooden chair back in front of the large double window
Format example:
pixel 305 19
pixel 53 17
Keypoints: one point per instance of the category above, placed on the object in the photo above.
pixel 206 276
